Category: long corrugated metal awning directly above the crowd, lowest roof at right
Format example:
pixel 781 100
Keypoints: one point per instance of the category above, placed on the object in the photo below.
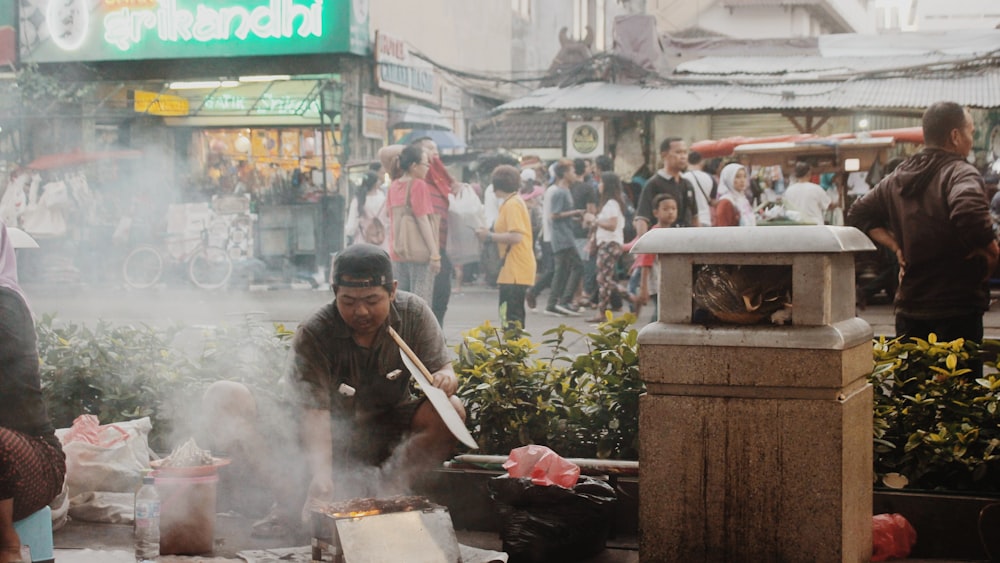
pixel 980 89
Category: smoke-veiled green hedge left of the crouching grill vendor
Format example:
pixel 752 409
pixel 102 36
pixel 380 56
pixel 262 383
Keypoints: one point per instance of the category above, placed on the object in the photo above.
pixel 129 371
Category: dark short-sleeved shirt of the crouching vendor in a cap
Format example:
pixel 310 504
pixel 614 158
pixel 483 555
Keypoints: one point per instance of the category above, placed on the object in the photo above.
pixel 326 356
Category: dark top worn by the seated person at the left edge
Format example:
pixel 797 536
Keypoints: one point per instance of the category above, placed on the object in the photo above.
pixel 21 405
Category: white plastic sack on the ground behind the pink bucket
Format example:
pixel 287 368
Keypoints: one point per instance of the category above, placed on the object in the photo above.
pixel 105 458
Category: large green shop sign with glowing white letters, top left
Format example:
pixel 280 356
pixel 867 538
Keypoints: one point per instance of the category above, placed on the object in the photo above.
pixel 110 30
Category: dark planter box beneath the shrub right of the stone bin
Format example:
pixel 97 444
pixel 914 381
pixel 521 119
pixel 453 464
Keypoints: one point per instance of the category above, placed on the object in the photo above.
pixel 947 524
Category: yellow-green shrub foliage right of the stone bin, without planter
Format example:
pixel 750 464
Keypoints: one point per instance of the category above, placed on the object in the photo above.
pixel 934 423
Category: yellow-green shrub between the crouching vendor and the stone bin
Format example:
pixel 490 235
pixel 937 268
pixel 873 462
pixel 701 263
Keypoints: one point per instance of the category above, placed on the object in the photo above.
pixel 581 406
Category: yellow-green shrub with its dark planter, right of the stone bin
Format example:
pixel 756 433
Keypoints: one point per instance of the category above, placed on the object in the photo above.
pixel 937 440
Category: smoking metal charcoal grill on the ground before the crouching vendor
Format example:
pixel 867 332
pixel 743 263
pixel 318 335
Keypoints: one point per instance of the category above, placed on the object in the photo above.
pixel 407 528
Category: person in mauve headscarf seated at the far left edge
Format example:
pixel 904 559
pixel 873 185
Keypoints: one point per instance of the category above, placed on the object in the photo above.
pixel 32 464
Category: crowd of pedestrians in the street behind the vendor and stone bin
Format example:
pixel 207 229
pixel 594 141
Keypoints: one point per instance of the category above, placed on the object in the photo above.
pixel 564 226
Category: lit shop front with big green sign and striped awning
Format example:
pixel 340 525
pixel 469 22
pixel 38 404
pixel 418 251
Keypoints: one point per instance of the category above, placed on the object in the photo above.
pixel 229 100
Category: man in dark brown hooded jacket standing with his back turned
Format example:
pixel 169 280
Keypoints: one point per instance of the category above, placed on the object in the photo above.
pixel 934 214
